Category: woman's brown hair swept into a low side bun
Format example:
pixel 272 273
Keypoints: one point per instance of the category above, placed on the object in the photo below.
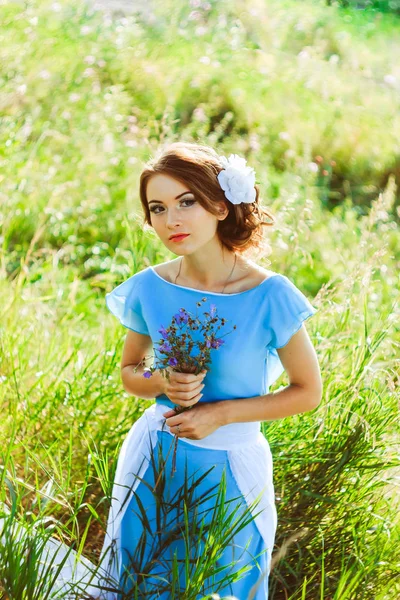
pixel 197 166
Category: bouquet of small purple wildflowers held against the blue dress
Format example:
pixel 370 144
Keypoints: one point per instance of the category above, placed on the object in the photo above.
pixel 177 346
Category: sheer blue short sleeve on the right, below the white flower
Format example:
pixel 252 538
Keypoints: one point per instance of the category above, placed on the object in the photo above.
pixel 288 308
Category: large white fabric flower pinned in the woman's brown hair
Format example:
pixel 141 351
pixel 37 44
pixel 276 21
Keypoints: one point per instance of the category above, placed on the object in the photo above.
pixel 237 180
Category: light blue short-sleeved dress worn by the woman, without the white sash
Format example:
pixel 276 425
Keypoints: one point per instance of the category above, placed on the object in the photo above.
pixel 244 366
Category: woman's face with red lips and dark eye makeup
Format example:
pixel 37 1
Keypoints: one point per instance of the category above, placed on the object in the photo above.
pixel 174 209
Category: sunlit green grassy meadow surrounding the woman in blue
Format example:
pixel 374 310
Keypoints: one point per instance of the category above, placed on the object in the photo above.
pixel 309 93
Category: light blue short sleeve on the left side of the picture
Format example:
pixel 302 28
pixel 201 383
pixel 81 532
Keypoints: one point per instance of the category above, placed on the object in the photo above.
pixel 124 302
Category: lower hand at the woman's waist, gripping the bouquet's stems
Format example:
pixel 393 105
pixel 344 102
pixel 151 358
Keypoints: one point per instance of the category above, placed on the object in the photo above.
pixel 197 423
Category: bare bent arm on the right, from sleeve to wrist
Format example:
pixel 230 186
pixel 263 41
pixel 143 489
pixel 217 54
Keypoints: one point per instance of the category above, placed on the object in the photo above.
pixel 304 392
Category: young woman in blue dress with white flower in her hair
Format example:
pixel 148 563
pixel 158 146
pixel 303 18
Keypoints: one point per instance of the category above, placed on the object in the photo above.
pixel 206 209
